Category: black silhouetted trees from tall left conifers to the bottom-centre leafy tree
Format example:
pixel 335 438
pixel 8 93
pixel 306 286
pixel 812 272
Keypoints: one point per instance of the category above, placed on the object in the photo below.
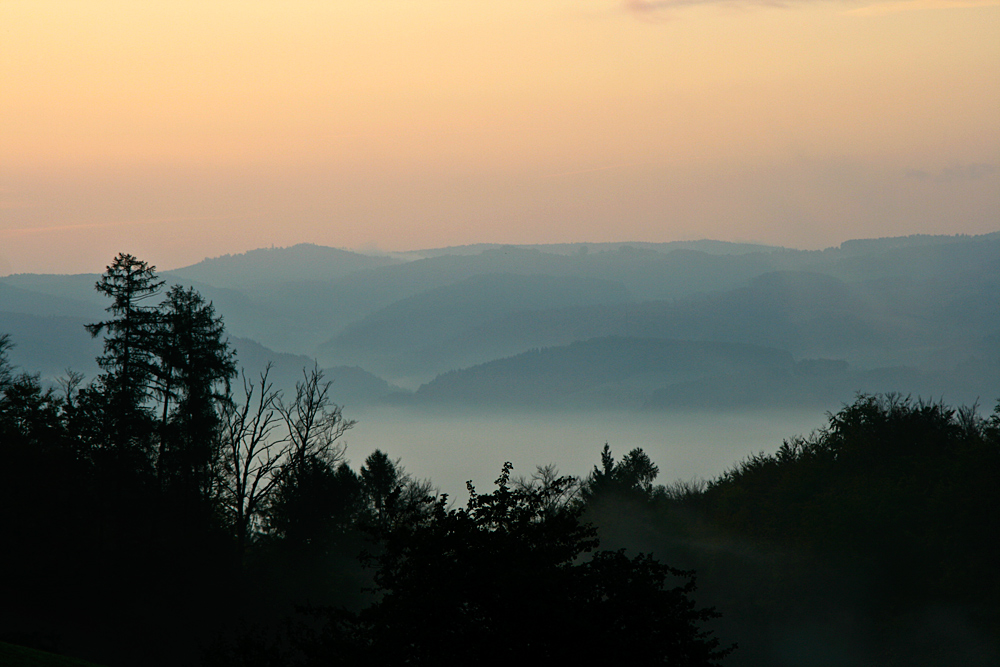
pixel 160 515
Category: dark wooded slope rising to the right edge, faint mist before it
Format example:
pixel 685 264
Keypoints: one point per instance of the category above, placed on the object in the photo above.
pixel 873 541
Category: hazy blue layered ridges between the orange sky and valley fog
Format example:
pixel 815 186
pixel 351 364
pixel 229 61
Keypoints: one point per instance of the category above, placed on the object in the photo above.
pixel 912 314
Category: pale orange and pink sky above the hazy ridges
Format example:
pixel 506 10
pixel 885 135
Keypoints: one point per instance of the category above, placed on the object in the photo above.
pixel 178 130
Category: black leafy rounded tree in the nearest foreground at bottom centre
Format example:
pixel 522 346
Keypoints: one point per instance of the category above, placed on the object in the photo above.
pixel 507 579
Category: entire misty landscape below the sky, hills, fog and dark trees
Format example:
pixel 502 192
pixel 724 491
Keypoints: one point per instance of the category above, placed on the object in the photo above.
pixel 711 453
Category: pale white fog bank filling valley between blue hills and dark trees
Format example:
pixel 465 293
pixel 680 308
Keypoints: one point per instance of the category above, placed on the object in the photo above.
pixel 450 447
